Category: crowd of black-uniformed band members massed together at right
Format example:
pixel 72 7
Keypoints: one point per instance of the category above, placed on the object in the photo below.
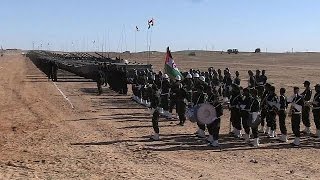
pixel 253 109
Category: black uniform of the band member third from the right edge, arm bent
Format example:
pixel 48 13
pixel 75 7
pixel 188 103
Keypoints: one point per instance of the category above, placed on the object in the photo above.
pixel 296 115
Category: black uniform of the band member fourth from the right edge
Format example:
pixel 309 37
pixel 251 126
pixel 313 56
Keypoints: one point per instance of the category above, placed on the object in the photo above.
pixel 282 113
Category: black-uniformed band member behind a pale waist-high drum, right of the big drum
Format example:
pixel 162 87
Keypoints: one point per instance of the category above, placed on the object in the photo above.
pixel 255 108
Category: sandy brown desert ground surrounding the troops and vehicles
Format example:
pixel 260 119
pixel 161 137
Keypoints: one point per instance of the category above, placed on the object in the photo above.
pixel 106 137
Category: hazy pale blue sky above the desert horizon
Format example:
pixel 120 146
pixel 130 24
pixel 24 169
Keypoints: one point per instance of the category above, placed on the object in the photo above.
pixel 278 25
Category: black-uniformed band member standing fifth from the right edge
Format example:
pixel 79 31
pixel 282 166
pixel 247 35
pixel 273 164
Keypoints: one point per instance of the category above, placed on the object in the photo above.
pixel 271 110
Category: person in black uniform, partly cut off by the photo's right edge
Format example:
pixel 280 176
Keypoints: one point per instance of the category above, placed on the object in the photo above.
pixel 316 109
